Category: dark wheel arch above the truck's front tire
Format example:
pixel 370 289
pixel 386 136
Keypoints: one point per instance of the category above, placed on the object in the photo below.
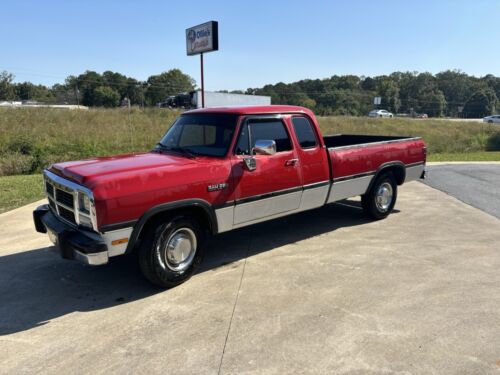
pixel 199 213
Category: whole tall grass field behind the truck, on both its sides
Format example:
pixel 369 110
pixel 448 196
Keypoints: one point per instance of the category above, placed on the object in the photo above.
pixel 32 138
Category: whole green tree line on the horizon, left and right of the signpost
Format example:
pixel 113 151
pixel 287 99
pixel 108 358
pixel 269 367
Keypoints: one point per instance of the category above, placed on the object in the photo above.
pixel 450 93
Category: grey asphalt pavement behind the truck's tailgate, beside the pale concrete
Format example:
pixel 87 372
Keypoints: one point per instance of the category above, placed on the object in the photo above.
pixel 474 184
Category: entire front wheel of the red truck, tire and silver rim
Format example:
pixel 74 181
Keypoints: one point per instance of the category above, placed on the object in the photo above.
pixel 172 252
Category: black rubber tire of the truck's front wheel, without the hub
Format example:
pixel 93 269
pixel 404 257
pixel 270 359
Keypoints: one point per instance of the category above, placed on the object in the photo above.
pixel 153 252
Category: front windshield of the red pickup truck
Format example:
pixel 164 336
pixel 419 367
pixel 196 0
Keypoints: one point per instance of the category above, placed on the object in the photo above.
pixel 200 134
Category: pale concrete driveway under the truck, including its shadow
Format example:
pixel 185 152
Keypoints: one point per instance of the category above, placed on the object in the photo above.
pixel 320 292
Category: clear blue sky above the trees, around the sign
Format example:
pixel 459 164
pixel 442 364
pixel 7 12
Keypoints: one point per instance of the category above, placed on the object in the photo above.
pixel 260 42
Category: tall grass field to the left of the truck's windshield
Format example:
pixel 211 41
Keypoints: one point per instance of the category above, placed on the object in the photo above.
pixel 31 138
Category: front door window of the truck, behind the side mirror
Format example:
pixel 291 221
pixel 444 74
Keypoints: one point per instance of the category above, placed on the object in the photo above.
pixel 270 130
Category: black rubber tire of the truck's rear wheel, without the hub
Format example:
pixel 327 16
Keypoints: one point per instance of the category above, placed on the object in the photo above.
pixel 369 203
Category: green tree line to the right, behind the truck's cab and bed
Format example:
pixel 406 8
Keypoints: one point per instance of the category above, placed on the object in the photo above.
pixel 449 93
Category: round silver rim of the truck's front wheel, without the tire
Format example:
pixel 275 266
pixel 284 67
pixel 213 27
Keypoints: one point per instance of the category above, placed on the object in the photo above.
pixel 180 249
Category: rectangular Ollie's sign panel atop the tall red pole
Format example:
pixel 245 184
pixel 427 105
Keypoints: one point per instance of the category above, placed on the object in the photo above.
pixel 202 38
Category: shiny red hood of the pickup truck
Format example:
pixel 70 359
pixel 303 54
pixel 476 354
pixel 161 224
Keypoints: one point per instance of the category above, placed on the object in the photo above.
pixel 89 172
